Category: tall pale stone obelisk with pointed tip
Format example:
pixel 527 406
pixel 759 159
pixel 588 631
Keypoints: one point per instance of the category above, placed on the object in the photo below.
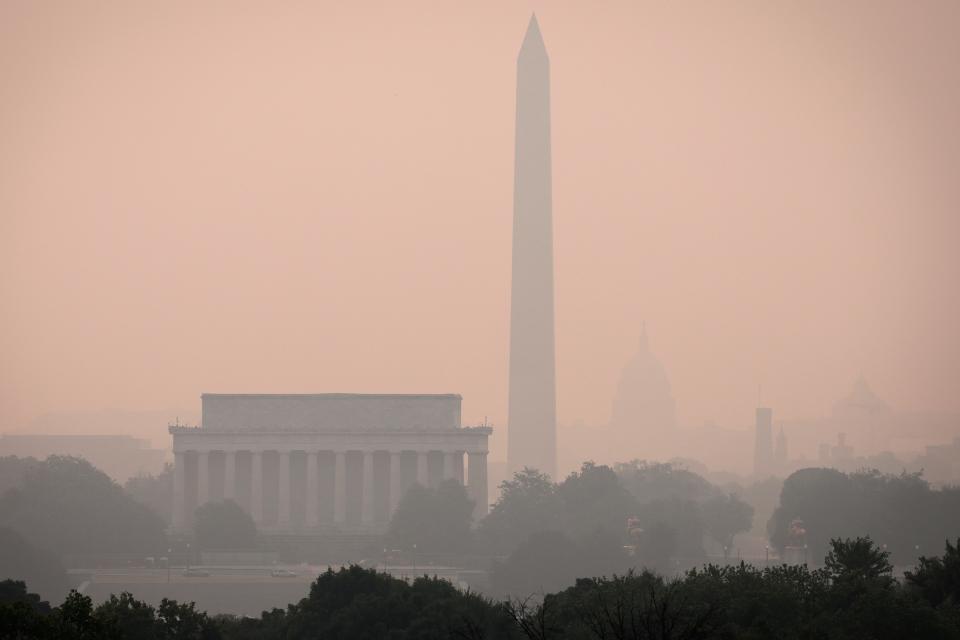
pixel 532 437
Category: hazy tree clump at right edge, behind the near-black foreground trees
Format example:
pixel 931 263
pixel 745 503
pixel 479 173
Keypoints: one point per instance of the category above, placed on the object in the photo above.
pixel 901 513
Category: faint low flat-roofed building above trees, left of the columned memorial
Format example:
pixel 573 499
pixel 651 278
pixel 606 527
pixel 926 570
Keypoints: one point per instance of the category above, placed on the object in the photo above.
pixel 120 457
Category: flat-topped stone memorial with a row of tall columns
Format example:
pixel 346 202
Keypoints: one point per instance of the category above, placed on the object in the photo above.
pixel 324 463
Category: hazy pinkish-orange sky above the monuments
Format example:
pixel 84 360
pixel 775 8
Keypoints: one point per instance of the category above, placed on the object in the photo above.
pixel 316 196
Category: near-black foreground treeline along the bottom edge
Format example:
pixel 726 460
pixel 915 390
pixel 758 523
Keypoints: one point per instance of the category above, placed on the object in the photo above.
pixel 854 596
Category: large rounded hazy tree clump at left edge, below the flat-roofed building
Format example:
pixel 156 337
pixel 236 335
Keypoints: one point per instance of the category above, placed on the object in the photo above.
pixel 68 505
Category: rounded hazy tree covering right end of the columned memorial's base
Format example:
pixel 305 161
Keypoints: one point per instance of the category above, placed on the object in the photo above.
pixel 436 520
